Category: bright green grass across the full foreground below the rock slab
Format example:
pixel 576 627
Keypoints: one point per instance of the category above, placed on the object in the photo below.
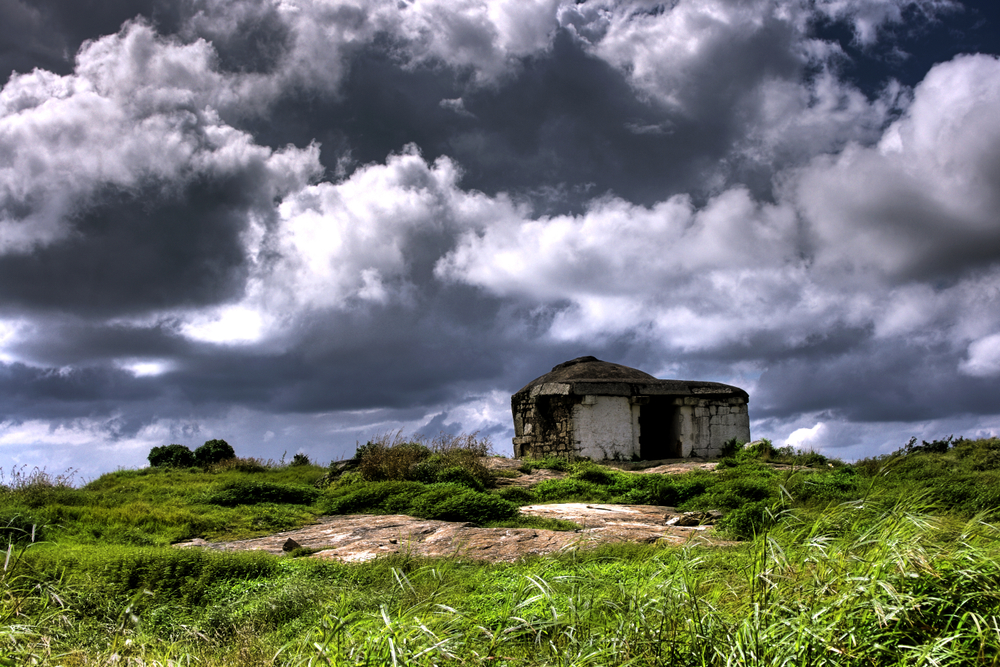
pixel 875 585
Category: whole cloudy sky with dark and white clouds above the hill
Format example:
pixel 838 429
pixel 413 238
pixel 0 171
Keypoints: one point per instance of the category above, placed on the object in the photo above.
pixel 297 224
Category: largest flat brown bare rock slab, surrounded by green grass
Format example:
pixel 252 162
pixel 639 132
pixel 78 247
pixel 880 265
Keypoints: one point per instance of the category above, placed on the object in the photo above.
pixel 362 537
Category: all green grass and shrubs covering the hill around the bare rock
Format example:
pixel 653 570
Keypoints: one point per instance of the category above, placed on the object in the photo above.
pixel 889 561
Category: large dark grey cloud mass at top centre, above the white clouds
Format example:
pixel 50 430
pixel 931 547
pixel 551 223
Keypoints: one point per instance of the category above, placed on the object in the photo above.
pixel 568 118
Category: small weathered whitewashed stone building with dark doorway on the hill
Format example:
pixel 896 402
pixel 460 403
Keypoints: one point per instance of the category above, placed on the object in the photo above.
pixel 599 410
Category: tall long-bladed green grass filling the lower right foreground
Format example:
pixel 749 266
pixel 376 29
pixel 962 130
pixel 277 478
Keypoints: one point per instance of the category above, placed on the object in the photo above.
pixel 842 590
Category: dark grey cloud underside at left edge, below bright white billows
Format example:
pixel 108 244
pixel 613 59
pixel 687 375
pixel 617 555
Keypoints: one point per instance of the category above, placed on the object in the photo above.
pixel 137 250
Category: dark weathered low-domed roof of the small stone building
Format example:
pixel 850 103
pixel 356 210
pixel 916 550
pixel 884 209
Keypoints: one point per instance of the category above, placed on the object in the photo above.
pixel 590 375
